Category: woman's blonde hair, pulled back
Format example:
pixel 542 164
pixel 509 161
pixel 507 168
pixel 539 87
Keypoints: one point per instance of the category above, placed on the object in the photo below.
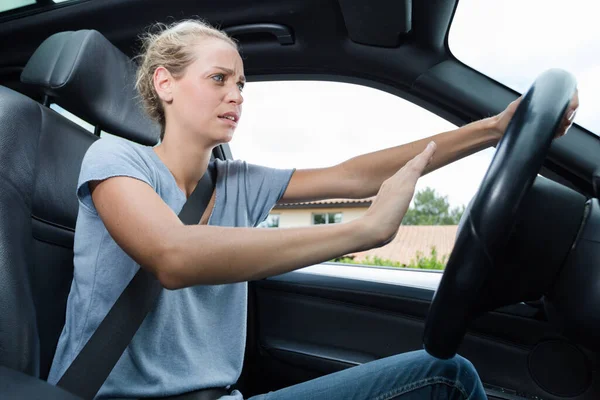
pixel 169 46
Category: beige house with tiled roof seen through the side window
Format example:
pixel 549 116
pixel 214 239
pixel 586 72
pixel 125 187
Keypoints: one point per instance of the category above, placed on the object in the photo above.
pixel 403 249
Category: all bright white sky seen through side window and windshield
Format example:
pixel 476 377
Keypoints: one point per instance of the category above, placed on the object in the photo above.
pixel 305 124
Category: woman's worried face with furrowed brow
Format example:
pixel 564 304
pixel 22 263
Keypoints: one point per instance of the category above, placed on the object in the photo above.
pixel 207 99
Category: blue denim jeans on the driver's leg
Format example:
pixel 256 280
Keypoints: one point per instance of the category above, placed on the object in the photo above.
pixel 407 376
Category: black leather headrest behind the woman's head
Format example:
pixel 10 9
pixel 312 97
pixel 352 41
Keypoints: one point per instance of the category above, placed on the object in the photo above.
pixel 85 74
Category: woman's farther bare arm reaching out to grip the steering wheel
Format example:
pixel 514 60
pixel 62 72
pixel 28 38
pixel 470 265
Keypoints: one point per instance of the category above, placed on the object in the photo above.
pixel 361 177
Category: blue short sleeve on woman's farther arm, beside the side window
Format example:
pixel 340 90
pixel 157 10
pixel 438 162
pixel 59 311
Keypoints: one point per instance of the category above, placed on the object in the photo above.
pixel 264 187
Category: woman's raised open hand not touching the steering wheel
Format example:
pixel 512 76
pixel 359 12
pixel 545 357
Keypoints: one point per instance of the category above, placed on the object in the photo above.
pixel 384 216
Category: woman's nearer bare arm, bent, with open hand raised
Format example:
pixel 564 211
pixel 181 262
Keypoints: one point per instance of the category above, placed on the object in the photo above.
pixel 185 255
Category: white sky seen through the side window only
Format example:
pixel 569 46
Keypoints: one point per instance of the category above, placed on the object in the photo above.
pixel 316 124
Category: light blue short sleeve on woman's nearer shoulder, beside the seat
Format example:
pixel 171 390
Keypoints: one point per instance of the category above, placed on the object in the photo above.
pixel 107 158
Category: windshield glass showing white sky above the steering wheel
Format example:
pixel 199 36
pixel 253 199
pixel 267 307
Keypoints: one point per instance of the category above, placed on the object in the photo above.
pixel 514 41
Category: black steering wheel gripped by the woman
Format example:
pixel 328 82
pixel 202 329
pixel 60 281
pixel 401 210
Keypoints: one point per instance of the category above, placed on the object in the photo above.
pixel 463 292
